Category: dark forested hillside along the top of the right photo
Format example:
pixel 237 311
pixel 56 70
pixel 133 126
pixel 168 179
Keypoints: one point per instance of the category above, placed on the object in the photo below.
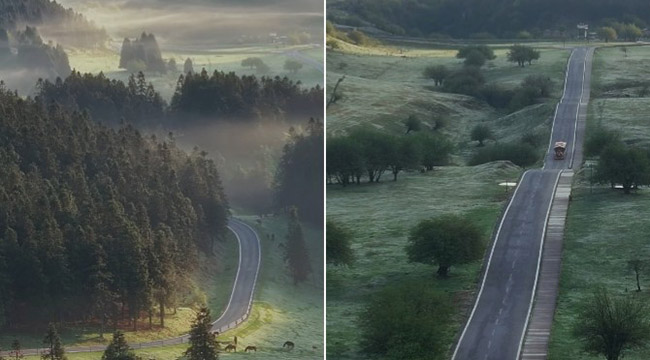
pixel 485 18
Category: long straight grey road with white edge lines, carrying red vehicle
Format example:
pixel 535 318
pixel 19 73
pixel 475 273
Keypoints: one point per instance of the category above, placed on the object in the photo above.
pixel 498 320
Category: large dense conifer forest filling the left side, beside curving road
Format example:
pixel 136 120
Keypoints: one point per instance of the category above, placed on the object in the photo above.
pixel 97 224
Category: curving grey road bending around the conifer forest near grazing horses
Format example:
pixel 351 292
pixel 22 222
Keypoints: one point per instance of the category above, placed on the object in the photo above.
pixel 241 298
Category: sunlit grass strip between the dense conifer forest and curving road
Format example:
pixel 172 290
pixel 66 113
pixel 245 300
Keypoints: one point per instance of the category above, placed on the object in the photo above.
pixel 214 277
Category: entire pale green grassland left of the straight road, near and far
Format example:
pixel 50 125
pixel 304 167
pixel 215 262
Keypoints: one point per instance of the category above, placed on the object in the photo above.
pixel 384 85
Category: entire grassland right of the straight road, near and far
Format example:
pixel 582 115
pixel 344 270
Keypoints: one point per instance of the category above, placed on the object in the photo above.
pixel 606 228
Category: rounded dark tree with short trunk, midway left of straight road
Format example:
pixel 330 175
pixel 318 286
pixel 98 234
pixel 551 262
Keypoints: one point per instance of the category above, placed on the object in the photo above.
pixel 446 241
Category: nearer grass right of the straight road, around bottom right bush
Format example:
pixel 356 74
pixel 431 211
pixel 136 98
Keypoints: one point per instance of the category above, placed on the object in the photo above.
pixel 604 230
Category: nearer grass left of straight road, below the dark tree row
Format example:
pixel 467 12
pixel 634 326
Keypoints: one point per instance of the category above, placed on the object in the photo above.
pixel 380 216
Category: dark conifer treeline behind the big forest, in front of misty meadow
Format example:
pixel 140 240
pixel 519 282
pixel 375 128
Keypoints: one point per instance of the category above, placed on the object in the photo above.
pixel 199 99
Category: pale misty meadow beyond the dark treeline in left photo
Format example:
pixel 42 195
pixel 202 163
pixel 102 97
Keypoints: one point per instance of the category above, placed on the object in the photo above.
pixel 226 59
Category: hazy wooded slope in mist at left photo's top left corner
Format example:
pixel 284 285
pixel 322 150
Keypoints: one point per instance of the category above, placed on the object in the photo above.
pixel 61 24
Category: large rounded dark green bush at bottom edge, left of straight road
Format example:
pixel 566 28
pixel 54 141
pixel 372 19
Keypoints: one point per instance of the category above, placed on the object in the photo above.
pixel 406 321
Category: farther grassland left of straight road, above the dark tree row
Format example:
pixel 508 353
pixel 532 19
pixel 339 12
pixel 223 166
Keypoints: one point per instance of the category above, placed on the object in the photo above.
pixel 384 87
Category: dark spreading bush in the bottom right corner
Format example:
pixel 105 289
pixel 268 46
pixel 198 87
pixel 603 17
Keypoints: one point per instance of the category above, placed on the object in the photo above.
pixel 609 325
